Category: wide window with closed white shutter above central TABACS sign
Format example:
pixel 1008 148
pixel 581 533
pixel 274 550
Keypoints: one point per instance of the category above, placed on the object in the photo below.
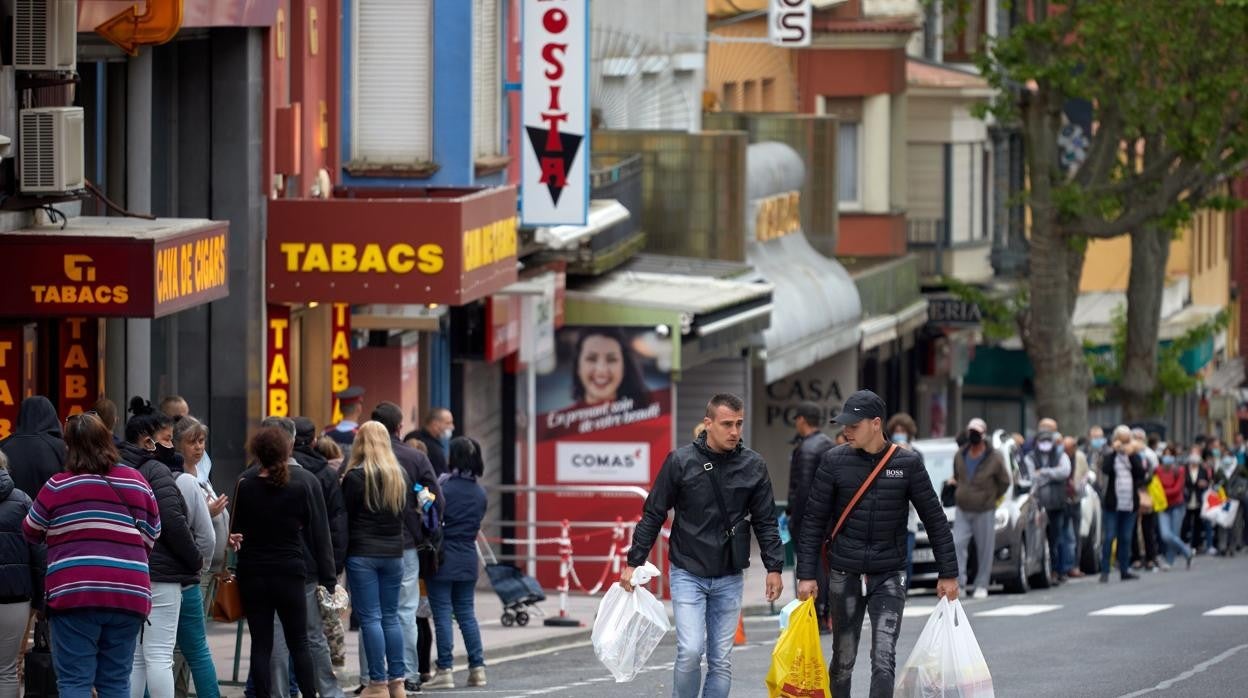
pixel 391 106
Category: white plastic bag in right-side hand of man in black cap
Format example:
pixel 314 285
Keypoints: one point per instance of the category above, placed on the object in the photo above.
pixel 947 661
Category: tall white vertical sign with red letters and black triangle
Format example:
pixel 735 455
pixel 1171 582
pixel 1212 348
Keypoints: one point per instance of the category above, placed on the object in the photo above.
pixel 556 113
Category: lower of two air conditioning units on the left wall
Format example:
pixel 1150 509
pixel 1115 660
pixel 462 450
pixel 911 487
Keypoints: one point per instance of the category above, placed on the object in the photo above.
pixel 51 143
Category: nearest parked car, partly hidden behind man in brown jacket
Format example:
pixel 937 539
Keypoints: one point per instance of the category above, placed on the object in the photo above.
pixel 1021 559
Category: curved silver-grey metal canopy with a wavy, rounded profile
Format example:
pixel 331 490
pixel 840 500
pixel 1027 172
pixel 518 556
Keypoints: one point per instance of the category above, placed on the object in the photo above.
pixel 817 305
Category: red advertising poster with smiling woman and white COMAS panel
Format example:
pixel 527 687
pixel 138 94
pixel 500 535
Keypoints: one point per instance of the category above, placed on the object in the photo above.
pixel 603 420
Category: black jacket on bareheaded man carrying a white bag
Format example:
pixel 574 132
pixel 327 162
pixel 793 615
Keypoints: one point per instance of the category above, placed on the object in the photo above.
pixel 698 544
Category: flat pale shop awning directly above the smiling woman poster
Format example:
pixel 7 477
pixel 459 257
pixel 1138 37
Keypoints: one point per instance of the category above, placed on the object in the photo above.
pixel 708 318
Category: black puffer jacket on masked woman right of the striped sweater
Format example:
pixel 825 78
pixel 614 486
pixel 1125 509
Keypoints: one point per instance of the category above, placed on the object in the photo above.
pixel 175 559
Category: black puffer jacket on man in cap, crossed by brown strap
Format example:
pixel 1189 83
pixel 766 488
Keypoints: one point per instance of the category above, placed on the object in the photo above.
pixel 874 538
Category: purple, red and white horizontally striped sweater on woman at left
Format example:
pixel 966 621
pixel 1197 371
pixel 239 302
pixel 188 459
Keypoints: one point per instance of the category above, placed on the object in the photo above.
pixel 97 546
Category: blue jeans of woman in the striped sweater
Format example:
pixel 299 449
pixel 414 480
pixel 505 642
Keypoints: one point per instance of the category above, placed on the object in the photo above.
pixel 94 649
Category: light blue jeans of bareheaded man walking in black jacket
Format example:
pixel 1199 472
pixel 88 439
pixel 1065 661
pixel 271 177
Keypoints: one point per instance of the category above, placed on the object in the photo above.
pixel 707 611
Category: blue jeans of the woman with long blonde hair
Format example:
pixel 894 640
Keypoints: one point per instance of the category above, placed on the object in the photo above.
pixel 375 589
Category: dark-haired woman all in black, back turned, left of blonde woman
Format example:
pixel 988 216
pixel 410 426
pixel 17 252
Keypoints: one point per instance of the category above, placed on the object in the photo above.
pixel 275 513
